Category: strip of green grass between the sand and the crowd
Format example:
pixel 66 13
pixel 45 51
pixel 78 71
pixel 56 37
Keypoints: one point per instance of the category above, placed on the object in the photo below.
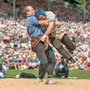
pixel 80 74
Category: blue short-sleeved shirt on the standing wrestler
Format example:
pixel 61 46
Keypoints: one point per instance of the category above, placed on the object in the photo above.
pixel 33 27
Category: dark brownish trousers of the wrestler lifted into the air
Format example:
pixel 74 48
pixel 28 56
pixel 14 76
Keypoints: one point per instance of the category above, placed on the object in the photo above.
pixel 58 45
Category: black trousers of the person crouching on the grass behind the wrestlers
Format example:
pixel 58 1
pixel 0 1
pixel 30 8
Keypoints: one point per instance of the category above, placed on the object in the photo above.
pixel 62 72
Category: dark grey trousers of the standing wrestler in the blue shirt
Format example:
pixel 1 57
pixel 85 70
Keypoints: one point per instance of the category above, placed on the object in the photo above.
pixel 47 60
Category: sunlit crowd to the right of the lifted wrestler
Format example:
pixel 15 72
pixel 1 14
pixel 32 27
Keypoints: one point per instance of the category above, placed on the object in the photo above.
pixel 79 32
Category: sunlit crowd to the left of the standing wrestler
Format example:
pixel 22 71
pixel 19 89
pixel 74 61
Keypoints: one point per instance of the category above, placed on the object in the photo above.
pixel 16 52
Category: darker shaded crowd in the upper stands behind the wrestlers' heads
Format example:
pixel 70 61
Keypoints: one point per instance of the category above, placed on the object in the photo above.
pixel 63 13
